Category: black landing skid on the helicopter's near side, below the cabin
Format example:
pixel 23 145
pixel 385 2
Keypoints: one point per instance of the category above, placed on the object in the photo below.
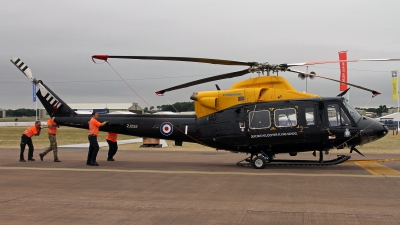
pixel 338 160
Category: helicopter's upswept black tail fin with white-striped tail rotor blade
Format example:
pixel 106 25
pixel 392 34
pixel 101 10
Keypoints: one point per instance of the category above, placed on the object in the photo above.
pixel 51 102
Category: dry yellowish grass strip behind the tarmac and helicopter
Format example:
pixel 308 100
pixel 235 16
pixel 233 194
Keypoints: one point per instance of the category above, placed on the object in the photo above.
pixel 10 137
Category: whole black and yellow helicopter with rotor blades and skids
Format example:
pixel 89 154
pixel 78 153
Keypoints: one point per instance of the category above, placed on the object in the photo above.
pixel 262 116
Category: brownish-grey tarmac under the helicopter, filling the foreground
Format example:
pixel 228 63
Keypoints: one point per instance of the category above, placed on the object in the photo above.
pixel 188 187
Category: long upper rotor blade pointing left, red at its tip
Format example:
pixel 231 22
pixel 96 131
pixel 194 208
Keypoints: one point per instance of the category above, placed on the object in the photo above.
pixel 184 59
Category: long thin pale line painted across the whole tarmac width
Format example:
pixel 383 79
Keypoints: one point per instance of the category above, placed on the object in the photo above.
pixel 201 172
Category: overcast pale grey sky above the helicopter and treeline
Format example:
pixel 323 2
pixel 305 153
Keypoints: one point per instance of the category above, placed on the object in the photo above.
pixel 56 39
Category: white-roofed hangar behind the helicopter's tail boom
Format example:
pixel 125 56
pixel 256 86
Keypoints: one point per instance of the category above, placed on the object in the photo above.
pixel 101 108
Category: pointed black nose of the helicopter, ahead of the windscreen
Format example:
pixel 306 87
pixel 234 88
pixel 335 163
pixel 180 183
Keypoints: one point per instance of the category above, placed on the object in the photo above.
pixel 371 130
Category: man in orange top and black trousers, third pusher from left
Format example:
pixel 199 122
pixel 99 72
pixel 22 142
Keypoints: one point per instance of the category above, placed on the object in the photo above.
pixel 94 125
